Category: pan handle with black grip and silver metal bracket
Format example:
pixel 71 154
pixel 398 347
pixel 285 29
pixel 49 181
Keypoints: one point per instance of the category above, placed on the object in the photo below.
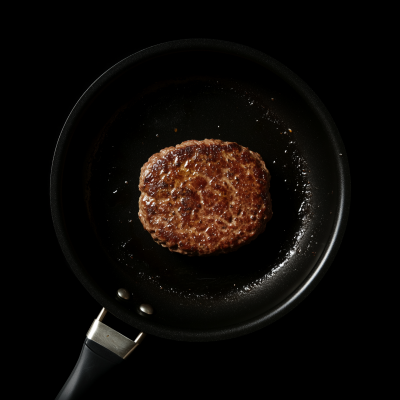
pixel 103 349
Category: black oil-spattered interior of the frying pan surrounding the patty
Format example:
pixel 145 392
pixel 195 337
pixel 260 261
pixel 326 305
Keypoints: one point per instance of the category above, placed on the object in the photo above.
pixel 161 103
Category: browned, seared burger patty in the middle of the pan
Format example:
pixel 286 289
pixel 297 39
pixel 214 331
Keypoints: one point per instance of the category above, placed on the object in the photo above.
pixel 204 197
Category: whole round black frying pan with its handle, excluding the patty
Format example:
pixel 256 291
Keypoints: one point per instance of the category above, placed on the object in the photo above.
pixel 162 96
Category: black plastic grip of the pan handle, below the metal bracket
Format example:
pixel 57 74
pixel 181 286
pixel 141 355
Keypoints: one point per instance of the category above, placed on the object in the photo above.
pixel 94 361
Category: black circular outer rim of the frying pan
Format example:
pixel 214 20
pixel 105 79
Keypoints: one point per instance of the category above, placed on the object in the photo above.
pixel 309 282
